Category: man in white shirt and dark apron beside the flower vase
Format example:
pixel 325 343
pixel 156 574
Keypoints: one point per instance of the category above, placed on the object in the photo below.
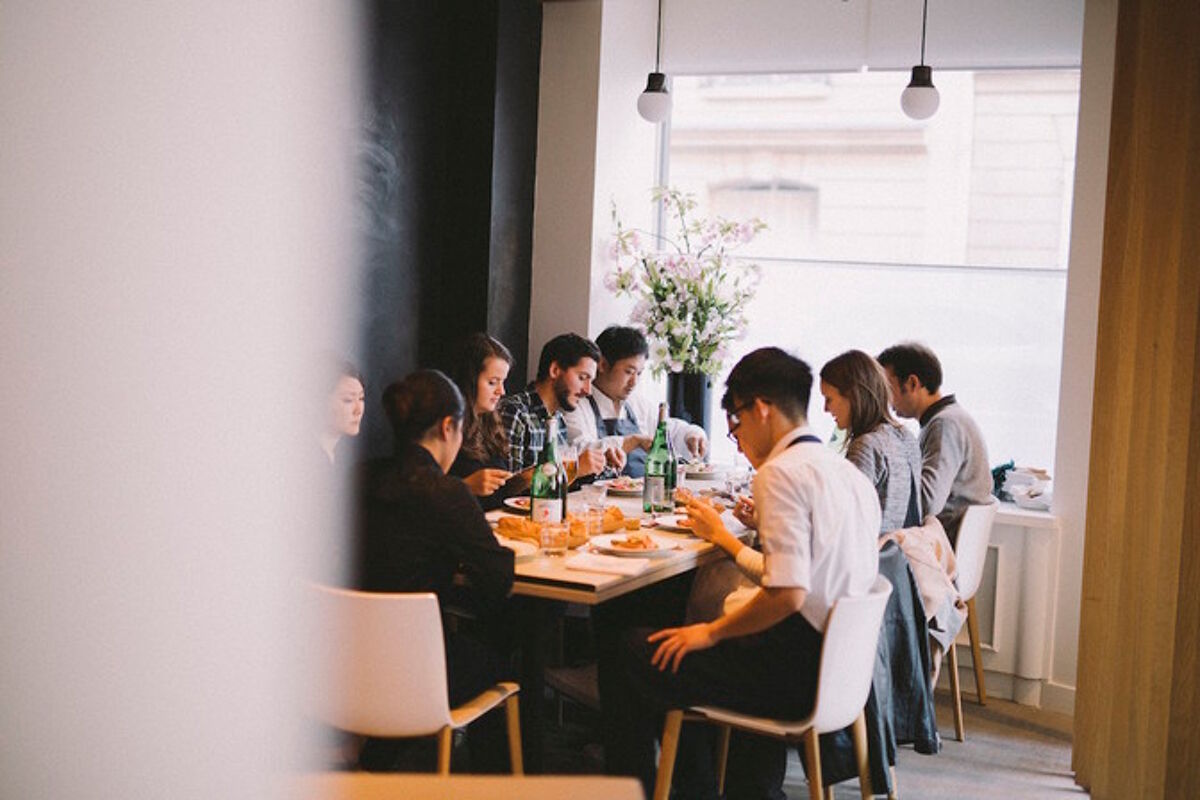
pixel 617 414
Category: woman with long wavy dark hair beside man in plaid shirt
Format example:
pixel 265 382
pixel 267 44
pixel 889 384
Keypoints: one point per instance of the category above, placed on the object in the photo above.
pixel 479 371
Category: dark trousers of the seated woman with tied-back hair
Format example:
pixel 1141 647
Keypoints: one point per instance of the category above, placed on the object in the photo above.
pixel 472 667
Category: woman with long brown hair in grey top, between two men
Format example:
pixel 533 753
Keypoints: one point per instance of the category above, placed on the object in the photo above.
pixel 856 393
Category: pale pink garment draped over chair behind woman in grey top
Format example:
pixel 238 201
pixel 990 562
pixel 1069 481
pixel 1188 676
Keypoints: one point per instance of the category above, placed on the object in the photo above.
pixel 932 560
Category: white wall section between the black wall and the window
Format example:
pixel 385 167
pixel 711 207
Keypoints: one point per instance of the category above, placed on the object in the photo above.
pixel 598 152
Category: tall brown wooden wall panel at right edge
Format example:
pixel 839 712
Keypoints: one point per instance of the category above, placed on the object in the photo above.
pixel 1137 714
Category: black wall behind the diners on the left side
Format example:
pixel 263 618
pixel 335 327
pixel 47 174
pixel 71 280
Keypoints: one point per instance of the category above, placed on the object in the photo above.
pixel 448 148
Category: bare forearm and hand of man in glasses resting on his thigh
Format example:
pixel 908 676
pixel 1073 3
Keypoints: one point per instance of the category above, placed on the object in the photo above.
pixel 767 607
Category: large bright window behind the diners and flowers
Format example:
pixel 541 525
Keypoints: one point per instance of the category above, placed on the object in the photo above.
pixel 953 231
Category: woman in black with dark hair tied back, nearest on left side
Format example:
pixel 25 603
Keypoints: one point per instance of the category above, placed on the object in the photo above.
pixel 422 531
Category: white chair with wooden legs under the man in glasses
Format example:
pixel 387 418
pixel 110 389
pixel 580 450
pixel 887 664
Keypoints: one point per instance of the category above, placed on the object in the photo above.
pixel 844 681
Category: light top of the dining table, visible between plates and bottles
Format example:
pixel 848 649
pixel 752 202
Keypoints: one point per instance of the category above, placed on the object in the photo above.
pixel 550 578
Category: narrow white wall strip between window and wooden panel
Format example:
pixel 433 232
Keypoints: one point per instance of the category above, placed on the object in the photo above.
pixel 1079 341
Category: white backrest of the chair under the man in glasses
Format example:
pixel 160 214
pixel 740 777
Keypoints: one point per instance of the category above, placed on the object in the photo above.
pixel 848 658
